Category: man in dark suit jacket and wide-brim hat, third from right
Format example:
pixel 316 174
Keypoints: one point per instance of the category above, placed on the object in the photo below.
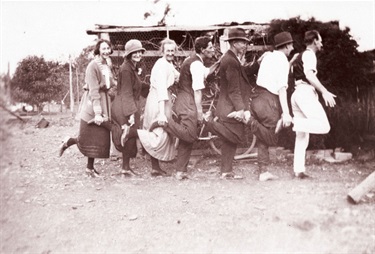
pixel 234 96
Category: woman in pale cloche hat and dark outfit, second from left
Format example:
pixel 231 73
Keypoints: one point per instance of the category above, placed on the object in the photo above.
pixel 126 105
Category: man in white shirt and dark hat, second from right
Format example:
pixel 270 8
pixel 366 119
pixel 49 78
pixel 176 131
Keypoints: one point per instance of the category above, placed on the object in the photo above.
pixel 269 102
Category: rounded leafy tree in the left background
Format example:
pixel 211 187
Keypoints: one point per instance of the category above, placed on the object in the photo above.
pixel 37 81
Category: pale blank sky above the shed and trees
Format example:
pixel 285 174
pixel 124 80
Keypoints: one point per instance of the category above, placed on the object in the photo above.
pixel 55 29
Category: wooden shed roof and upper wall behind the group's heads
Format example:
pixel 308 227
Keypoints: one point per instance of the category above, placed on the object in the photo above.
pixel 151 36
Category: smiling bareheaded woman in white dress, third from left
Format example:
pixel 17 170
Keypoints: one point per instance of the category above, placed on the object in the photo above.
pixel 158 143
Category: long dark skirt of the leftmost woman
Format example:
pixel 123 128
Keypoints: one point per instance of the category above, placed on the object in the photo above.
pixel 93 140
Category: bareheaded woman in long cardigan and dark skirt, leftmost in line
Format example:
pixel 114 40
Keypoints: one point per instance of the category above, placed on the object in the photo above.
pixel 93 140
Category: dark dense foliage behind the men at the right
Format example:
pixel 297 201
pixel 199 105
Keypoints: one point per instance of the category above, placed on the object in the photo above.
pixel 342 70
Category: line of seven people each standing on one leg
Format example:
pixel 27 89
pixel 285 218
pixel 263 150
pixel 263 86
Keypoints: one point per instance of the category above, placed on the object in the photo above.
pixel 263 109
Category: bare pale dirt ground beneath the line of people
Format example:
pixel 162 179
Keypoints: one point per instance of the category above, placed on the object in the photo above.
pixel 48 205
